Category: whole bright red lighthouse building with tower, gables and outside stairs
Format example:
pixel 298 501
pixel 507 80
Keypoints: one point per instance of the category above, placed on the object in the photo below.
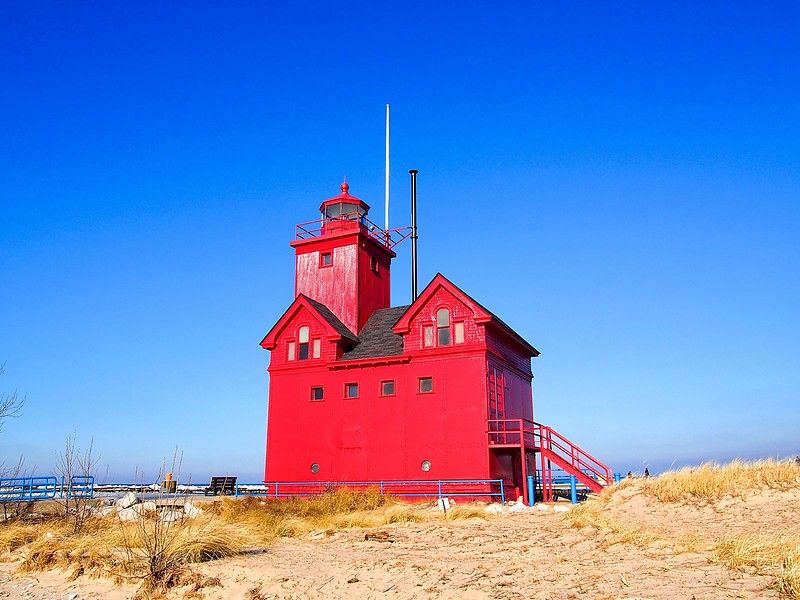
pixel 438 390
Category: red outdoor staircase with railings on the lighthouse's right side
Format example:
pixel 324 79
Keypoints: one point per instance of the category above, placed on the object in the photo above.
pixel 553 449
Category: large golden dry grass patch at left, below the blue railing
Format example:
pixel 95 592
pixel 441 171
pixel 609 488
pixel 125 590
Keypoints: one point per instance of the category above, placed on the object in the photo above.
pixel 156 553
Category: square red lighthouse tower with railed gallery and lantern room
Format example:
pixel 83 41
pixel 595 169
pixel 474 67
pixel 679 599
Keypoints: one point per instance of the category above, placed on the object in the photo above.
pixel 344 263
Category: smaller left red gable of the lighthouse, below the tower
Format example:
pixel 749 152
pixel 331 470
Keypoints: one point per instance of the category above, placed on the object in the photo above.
pixel 308 334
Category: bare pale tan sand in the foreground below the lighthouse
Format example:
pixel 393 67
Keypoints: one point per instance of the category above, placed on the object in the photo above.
pixel 530 553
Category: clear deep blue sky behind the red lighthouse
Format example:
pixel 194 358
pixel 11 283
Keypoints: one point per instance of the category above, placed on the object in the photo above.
pixel 620 182
